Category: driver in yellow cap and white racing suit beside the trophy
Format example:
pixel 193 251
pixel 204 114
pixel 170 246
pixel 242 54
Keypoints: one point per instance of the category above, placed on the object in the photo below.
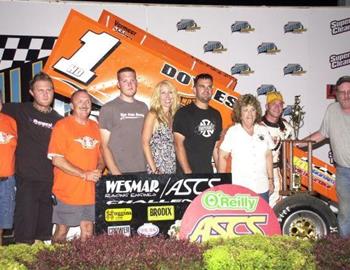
pixel 279 130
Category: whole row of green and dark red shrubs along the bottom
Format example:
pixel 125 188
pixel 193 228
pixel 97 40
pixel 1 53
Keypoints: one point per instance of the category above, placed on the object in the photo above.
pixel 117 252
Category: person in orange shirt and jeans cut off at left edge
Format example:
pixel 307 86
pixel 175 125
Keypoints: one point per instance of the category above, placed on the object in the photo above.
pixel 8 142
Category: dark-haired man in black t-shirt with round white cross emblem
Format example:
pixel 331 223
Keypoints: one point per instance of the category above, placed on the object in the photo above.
pixel 197 129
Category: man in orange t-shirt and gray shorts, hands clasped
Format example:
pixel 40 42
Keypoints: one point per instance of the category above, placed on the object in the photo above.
pixel 75 152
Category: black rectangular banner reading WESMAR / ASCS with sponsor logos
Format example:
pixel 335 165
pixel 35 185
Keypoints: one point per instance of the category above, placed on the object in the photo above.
pixel 148 204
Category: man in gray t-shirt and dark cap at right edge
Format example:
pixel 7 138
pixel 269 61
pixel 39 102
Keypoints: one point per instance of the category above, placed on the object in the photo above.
pixel 336 127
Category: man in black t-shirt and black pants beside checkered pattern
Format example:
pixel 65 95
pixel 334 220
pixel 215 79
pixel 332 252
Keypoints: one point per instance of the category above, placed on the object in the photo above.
pixel 33 171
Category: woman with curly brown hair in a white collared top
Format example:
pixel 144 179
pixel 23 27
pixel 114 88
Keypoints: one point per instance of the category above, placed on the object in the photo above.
pixel 249 144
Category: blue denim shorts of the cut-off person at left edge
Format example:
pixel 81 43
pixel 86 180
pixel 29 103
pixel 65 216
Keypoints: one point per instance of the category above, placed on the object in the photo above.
pixel 7 202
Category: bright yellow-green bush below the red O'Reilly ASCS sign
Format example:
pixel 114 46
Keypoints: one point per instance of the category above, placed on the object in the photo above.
pixel 259 252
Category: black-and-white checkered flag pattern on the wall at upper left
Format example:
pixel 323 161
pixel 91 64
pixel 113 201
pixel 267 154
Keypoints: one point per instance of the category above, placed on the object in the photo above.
pixel 16 50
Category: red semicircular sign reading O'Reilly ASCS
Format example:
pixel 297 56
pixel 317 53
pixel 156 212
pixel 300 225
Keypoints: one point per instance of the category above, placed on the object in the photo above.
pixel 227 211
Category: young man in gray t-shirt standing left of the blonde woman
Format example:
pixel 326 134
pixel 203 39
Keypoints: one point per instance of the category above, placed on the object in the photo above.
pixel 121 122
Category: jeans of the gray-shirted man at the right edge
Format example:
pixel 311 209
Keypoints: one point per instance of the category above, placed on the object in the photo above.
pixel 343 194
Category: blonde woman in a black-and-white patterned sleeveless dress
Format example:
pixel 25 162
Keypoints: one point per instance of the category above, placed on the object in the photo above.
pixel 157 136
